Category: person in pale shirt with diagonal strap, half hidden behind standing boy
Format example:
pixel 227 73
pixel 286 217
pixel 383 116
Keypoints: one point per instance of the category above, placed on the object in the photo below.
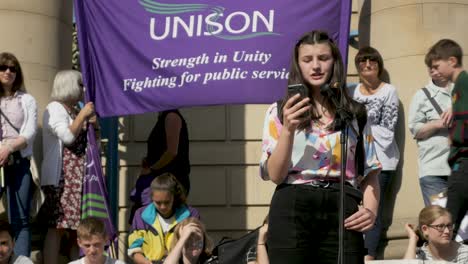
pixel 427 121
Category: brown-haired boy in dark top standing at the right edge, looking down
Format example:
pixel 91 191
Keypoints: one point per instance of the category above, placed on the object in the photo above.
pixel 446 56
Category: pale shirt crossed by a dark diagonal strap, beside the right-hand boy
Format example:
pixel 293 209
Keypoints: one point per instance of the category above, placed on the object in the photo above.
pixel 434 150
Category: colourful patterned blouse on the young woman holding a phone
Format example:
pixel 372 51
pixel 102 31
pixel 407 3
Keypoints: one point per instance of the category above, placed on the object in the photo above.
pixel 316 154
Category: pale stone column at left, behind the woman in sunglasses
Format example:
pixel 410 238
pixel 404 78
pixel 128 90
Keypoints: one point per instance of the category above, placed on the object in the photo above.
pixel 39 33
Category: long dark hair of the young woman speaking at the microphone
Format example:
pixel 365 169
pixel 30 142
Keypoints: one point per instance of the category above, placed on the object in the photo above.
pixel 337 78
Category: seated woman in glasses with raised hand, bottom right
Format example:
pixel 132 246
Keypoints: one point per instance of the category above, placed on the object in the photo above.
pixel 435 230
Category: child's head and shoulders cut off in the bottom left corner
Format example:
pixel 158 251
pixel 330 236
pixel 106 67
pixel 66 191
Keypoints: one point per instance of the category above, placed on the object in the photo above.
pixel 6 246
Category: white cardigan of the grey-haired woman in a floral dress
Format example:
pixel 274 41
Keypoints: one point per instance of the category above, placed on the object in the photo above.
pixel 56 133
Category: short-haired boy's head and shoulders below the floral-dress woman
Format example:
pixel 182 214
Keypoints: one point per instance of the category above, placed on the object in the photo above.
pixel 92 238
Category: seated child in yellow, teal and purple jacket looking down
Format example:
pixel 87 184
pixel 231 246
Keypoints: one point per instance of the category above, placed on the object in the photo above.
pixel 153 225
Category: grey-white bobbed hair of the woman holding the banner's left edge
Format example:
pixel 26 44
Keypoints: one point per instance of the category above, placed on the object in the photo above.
pixel 68 86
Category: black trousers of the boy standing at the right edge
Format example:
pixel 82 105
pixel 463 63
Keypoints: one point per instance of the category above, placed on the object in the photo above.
pixel 457 194
